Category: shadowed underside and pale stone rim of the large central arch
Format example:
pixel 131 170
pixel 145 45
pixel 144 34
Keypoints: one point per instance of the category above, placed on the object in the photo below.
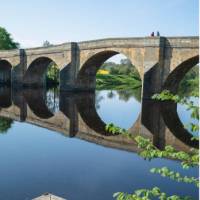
pixel 86 78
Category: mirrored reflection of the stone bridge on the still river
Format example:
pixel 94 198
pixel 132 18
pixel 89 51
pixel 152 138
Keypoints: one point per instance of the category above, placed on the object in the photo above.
pixel 77 117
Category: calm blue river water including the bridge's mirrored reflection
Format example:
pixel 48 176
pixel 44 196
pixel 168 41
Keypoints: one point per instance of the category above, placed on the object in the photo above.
pixel 57 143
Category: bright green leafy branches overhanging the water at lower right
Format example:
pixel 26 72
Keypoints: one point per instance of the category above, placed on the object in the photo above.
pixel 149 151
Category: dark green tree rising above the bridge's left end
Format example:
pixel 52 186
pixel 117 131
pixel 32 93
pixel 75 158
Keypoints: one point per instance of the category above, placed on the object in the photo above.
pixel 6 41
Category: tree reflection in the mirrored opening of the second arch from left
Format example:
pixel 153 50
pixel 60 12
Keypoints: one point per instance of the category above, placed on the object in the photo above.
pixel 52 100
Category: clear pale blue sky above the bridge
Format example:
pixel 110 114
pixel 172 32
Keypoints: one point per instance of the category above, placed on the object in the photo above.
pixel 31 22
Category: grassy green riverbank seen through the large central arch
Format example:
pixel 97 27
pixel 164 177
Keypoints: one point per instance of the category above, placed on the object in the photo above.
pixel 117 81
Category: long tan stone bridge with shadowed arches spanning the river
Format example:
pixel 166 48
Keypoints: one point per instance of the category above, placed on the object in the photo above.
pixel 161 62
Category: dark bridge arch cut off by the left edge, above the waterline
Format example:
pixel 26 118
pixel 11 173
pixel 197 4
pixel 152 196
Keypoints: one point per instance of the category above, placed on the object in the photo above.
pixel 5 72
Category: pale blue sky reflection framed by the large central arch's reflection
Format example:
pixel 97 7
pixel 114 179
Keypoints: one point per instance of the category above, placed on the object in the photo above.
pixel 113 106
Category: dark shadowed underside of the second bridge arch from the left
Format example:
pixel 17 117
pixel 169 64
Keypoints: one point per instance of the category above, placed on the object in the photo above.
pixel 36 72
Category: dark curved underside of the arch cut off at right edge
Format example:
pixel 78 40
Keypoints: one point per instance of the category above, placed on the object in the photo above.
pixel 175 77
